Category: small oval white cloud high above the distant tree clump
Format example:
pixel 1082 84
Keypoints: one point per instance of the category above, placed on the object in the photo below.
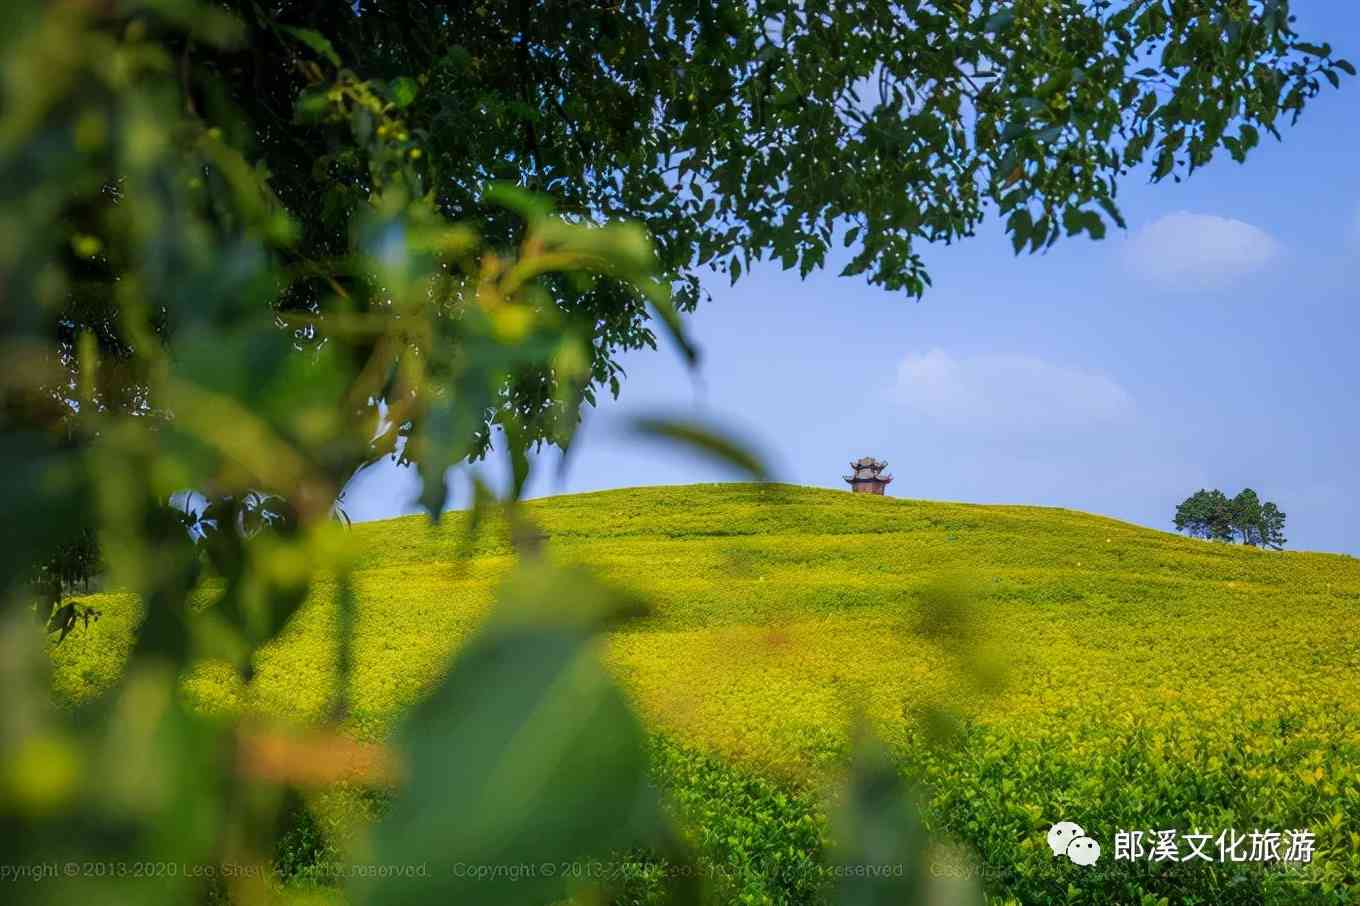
pixel 1199 251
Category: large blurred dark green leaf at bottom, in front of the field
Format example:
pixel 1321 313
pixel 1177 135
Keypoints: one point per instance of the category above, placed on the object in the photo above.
pixel 524 761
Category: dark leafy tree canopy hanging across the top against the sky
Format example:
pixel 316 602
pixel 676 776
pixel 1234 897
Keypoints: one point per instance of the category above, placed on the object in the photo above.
pixel 734 133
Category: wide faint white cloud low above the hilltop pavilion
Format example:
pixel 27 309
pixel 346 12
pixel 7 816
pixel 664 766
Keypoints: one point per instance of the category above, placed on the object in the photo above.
pixel 1007 392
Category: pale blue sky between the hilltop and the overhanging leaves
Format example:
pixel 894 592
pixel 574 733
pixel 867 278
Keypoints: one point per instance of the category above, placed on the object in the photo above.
pixel 1214 345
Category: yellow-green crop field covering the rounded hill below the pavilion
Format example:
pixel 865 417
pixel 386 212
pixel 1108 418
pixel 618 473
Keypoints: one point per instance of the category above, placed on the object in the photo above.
pixel 1026 666
